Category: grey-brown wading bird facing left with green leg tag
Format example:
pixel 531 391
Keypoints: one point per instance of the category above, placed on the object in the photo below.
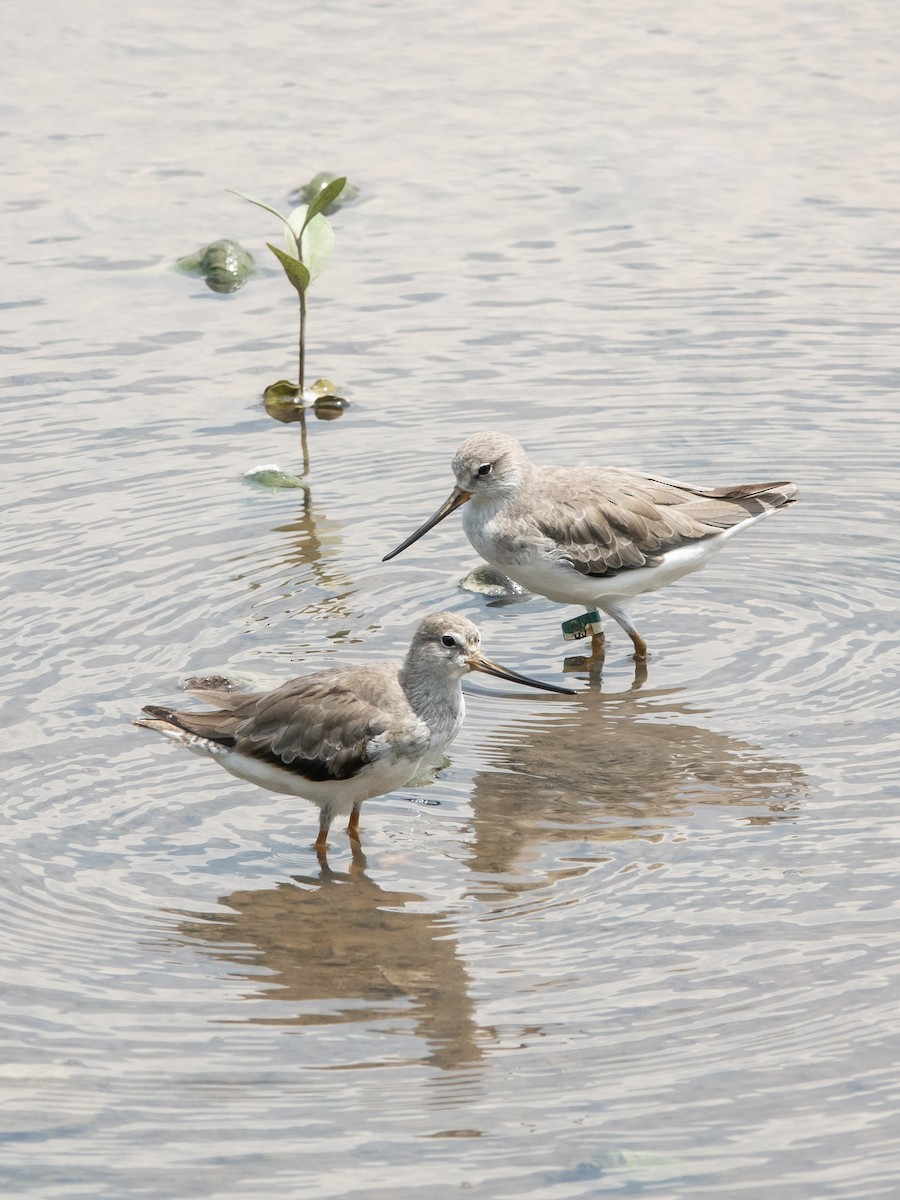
pixel 595 537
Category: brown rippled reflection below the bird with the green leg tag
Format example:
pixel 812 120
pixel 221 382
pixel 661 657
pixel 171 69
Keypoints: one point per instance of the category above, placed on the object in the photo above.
pixel 615 767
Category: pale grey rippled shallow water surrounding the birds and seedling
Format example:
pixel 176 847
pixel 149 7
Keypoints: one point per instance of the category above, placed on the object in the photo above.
pixel 643 941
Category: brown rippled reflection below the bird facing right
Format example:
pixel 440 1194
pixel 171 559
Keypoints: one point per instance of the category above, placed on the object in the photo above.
pixel 335 949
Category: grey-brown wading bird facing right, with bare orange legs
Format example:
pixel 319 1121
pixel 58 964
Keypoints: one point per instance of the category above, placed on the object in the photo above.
pixel 346 735
